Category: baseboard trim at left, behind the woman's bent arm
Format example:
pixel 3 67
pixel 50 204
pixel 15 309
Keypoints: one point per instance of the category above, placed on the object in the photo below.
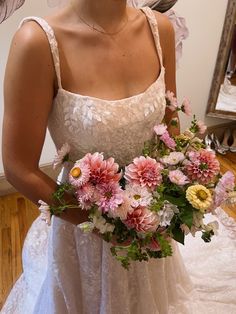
pixel 6 188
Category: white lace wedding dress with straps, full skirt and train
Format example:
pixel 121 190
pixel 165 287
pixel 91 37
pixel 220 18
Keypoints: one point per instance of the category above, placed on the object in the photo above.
pixel 66 271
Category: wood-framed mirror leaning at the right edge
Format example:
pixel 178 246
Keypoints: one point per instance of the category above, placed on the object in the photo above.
pixel 222 98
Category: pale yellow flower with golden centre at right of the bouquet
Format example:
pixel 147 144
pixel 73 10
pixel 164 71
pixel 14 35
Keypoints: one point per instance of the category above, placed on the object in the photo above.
pixel 199 197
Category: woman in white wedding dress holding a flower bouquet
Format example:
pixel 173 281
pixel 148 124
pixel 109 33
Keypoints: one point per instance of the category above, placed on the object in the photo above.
pixel 96 73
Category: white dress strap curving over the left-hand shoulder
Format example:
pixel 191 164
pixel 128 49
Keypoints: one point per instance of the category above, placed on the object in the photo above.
pixel 52 42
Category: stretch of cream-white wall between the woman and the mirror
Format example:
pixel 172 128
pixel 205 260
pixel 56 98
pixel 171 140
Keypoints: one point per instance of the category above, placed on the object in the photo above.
pixel 205 21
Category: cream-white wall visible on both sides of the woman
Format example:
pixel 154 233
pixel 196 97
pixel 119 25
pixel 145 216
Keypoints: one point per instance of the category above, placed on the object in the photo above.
pixel 204 19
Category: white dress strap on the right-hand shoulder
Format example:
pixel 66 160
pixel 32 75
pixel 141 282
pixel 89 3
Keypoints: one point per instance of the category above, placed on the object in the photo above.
pixel 154 27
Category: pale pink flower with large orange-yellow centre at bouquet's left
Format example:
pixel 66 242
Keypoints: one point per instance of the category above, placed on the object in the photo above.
pixel 79 174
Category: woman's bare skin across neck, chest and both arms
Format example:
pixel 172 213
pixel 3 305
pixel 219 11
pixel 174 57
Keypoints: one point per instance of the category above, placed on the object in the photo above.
pixel 112 67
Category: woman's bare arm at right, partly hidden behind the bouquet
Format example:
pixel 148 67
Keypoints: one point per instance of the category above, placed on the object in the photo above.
pixel 167 39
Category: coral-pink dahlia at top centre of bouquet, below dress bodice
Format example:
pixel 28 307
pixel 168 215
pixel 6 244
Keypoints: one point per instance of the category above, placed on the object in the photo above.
pixel 144 171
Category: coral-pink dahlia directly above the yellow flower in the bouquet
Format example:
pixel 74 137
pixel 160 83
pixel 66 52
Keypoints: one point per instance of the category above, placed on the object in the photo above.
pixel 202 166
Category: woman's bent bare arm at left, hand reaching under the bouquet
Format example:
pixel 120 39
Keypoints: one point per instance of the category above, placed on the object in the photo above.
pixel 28 96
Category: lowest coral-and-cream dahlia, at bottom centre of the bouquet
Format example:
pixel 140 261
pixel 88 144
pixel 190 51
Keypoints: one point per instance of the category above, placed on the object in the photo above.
pixel 142 220
